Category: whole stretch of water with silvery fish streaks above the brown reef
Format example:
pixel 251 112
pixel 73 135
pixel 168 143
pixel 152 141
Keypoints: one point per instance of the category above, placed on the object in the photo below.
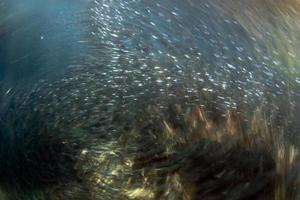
pixel 91 68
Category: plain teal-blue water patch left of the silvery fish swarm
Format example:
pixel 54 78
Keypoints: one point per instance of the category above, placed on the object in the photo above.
pixel 38 39
